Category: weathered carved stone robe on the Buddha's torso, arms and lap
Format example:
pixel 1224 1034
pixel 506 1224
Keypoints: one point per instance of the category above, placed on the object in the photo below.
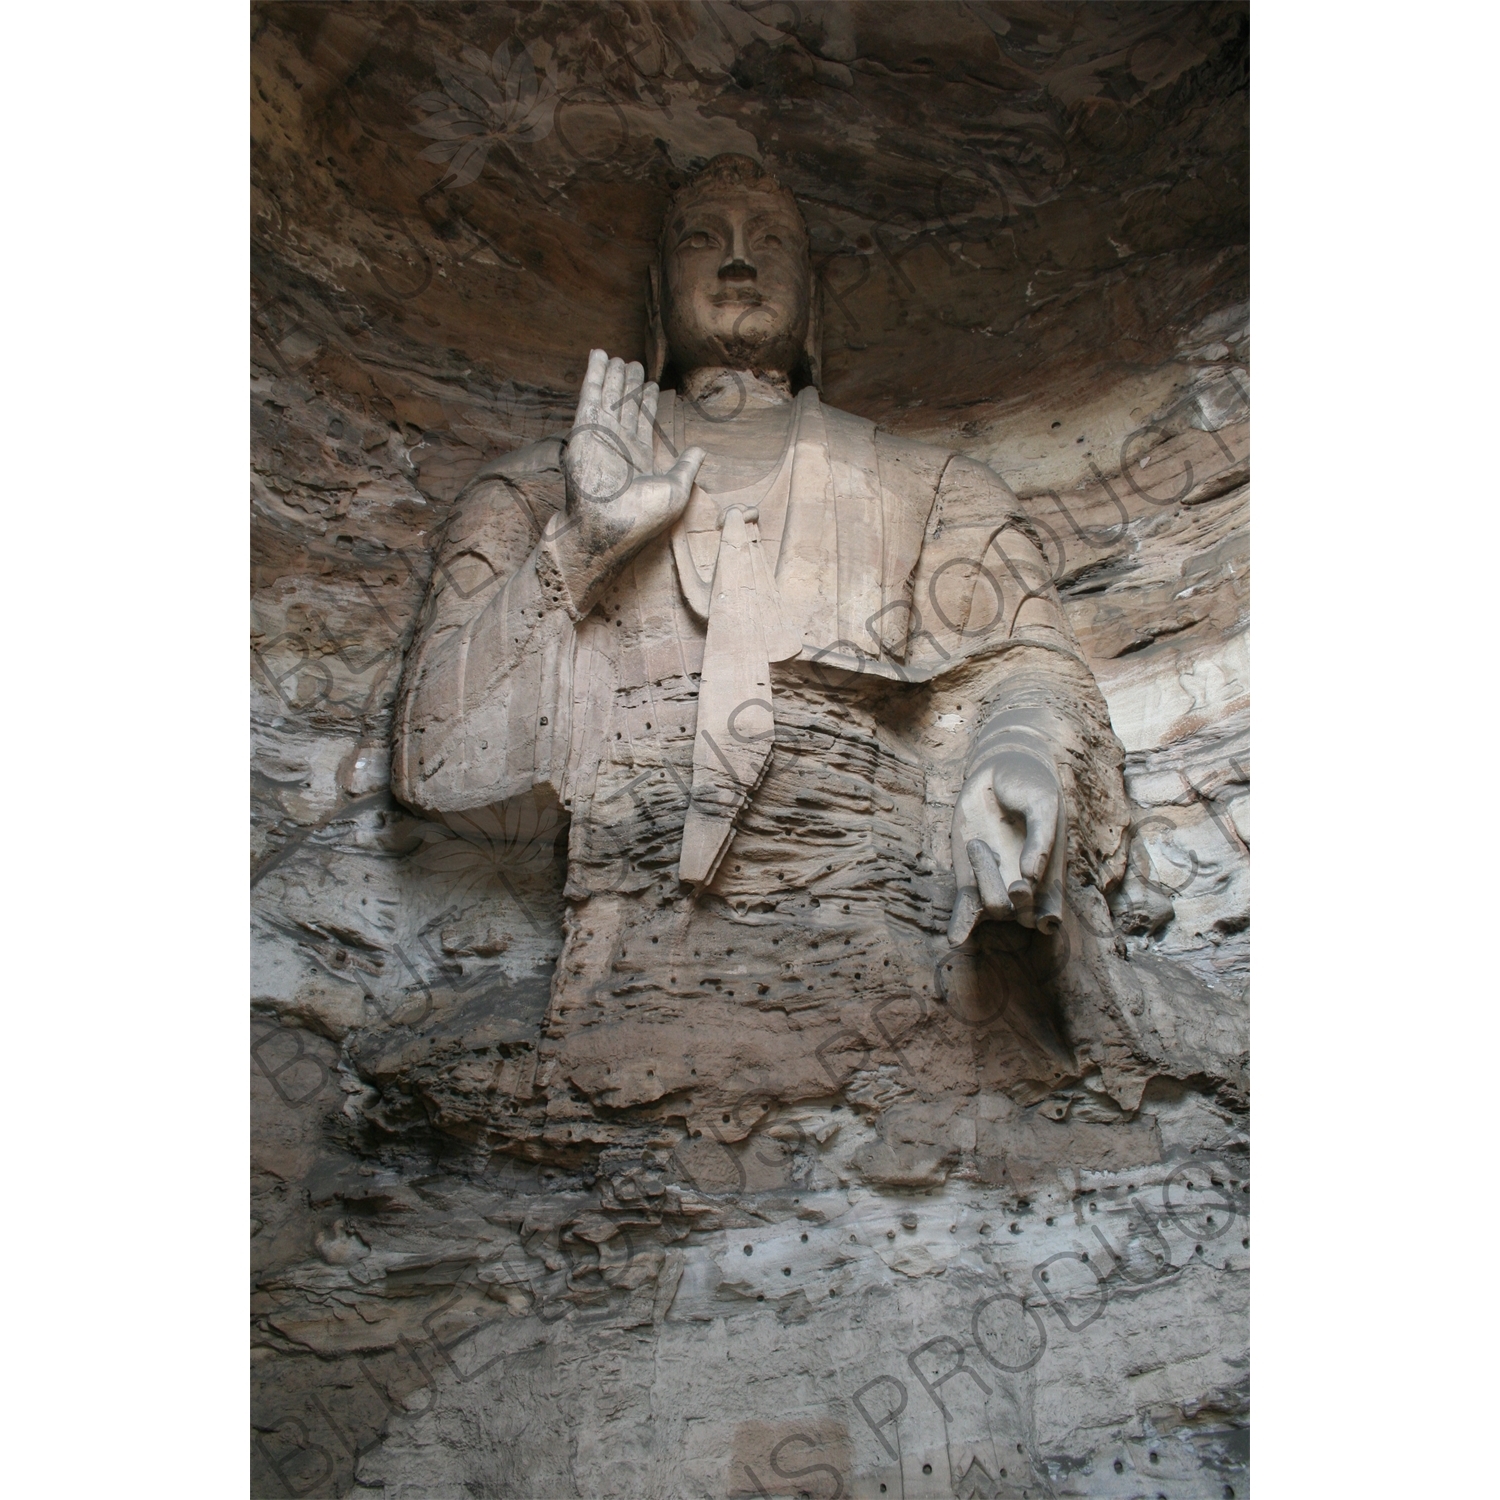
pixel 916 611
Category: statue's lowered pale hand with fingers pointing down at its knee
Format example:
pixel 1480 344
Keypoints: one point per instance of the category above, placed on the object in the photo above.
pixel 1010 844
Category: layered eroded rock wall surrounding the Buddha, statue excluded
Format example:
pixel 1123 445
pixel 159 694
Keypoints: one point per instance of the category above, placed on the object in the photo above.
pixel 868 1271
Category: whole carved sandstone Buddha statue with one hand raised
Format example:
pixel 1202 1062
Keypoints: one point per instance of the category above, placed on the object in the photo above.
pixel 845 799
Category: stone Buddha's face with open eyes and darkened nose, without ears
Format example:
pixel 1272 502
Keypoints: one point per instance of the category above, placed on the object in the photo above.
pixel 737 281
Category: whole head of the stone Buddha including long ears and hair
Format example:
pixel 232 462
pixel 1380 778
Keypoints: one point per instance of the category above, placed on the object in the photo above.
pixel 734 280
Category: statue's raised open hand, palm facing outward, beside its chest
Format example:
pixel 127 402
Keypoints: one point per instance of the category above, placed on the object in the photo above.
pixel 617 496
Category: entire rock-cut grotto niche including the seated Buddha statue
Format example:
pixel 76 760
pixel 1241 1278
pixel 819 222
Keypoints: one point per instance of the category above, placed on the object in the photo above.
pixel 751 790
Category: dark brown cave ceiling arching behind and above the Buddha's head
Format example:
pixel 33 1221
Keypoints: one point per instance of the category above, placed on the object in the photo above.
pixel 454 203
